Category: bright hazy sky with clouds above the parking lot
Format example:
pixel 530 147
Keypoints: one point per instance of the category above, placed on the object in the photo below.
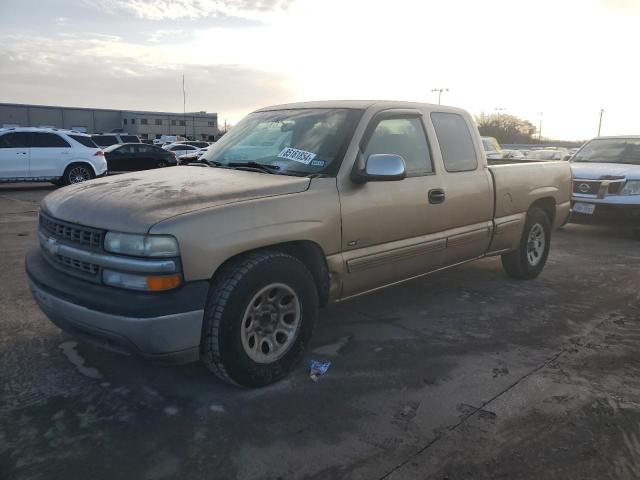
pixel 559 61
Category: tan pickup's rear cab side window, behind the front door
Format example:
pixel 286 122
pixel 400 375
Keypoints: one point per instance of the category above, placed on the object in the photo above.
pixel 456 143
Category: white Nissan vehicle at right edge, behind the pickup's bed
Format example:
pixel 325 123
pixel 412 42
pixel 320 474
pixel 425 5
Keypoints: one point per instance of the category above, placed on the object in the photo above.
pixel 606 183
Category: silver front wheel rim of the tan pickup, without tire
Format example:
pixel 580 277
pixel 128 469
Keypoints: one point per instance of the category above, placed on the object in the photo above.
pixel 271 322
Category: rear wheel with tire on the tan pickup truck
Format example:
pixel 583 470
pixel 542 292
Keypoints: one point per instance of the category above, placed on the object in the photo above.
pixel 528 260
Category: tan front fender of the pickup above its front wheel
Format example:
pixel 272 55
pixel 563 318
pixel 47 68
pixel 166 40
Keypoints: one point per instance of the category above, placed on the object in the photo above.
pixel 209 237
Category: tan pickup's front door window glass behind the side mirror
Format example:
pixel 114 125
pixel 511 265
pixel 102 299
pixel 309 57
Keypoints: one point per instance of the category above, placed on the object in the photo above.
pixel 404 137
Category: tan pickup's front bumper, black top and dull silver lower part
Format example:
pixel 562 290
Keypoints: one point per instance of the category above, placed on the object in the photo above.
pixel 162 326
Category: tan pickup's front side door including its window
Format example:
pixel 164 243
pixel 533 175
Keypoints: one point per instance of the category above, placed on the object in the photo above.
pixel 391 230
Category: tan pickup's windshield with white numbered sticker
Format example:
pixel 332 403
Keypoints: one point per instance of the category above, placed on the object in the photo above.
pixel 297 142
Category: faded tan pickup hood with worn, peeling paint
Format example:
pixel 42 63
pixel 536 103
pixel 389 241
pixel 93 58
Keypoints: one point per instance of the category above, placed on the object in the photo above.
pixel 134 202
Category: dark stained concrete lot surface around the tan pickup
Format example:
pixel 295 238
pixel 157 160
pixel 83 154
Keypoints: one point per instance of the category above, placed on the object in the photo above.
pixel 465 374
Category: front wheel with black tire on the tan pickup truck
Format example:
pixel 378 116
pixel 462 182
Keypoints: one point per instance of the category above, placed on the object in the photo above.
pixel 258 319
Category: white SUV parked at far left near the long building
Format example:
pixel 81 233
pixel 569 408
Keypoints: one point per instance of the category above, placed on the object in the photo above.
pixel 49 155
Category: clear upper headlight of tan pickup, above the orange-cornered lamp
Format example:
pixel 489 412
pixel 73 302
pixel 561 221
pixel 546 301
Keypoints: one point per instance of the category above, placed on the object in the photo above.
pixel 141 245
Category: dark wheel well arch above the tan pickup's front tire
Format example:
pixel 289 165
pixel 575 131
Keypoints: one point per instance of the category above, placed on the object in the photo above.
pixel 308 252
